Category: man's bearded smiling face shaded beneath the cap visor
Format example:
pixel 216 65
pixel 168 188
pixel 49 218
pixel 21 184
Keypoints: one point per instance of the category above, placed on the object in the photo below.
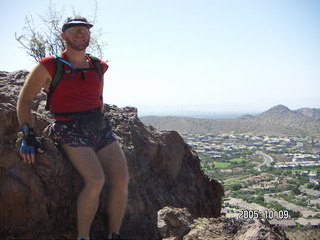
pixel 77 37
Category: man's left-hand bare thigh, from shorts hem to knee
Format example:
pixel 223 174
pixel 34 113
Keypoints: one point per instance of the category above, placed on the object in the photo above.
pixel 85 160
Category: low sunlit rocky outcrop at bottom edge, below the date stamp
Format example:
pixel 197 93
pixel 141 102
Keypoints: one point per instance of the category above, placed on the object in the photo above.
pixel 178 224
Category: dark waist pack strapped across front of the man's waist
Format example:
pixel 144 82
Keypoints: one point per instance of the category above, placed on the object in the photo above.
pixel 90 123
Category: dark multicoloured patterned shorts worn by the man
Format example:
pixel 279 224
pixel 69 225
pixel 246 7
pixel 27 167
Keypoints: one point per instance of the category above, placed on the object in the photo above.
pixel 68 134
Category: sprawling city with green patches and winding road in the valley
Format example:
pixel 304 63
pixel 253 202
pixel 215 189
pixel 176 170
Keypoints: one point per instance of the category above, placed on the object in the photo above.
pixel 268 177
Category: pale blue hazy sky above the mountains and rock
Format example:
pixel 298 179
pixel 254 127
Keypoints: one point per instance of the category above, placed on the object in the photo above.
pixel 237 55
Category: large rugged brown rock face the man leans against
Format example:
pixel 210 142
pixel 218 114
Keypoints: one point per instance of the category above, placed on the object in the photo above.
pixel 39 201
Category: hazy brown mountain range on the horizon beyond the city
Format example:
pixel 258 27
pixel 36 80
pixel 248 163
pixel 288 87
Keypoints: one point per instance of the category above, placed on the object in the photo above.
pixel 278 120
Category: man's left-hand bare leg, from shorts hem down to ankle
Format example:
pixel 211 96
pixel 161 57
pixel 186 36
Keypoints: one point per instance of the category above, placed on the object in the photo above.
pixel 88 165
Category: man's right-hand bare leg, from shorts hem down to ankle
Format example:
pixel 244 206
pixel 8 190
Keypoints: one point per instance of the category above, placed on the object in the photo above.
pixel 115 167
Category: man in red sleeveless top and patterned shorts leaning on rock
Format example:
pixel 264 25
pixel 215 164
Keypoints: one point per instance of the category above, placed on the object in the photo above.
pixel 92 148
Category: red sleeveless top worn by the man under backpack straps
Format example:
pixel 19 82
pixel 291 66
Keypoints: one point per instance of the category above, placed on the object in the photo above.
pixel 82 92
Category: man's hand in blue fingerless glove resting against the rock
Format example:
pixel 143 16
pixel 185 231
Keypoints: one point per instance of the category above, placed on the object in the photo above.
pixel 28 148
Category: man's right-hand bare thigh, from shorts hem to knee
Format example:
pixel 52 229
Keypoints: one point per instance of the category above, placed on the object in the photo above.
pixel 113 162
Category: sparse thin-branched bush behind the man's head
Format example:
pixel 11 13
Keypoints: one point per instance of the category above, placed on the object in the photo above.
pixel 39 42
